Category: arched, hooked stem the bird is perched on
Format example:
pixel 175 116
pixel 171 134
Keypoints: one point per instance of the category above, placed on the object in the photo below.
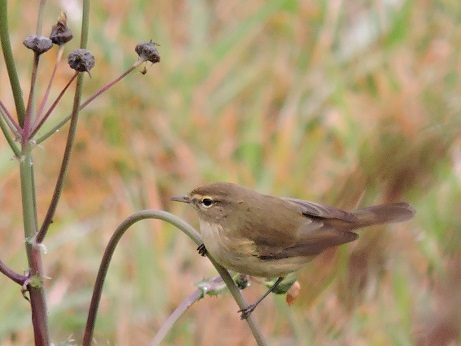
pixel 189 231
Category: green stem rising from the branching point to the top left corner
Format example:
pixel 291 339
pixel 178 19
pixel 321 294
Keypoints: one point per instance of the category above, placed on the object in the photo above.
pixel 10 64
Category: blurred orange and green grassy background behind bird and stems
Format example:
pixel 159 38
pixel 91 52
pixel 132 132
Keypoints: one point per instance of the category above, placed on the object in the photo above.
pixel 344 103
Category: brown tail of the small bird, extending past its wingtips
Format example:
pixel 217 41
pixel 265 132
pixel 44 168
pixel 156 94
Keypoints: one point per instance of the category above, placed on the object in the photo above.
pixel 381 214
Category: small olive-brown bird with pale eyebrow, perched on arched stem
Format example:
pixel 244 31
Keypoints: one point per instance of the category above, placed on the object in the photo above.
pixel 271 237
